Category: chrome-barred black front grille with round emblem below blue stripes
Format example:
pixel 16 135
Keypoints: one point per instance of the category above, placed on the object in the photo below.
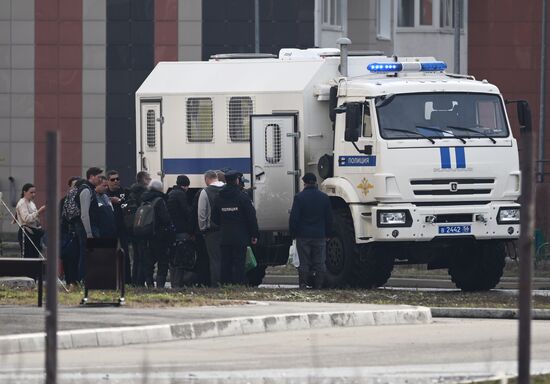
pixel 450 187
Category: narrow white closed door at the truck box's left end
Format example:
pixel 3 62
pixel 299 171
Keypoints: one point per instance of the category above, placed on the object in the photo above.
pixel 151 138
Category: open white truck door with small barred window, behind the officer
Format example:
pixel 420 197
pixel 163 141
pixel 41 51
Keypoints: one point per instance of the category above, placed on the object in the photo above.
pixel 274 139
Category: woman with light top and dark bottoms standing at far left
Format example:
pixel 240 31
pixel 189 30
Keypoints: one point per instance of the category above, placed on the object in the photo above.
pixel 28 218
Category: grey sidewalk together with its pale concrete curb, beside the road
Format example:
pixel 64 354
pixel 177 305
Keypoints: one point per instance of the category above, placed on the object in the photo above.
pixel 23 327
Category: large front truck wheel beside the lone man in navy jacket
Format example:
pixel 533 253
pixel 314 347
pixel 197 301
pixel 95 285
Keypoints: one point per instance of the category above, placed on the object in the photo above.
pixel 341 251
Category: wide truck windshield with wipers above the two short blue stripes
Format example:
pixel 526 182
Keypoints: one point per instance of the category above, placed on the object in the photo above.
pixel 441 115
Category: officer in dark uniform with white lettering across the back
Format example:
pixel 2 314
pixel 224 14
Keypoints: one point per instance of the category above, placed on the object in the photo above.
pixel 235 214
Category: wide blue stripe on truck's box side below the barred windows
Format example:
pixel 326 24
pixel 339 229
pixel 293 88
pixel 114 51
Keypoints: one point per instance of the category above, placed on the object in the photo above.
pixel 198 166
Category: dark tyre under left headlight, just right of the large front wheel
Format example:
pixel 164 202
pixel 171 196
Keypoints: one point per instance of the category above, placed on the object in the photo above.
pixel 373 266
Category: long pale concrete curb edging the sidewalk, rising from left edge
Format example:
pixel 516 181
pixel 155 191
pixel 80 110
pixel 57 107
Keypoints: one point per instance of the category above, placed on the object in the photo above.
pixel 112 337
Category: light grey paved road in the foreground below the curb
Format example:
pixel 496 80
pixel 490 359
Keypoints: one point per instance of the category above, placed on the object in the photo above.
pixel 445 351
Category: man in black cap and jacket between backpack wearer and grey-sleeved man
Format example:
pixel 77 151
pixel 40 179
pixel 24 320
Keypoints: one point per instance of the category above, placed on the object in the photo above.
pixel 180 213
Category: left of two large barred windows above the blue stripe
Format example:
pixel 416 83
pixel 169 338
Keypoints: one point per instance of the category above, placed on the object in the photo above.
pixel 200 120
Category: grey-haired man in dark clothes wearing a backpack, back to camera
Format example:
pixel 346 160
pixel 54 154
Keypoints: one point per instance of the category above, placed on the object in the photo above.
pixel 156 247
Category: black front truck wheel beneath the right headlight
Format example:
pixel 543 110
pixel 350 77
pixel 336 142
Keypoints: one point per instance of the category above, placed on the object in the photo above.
pixel 478 266
